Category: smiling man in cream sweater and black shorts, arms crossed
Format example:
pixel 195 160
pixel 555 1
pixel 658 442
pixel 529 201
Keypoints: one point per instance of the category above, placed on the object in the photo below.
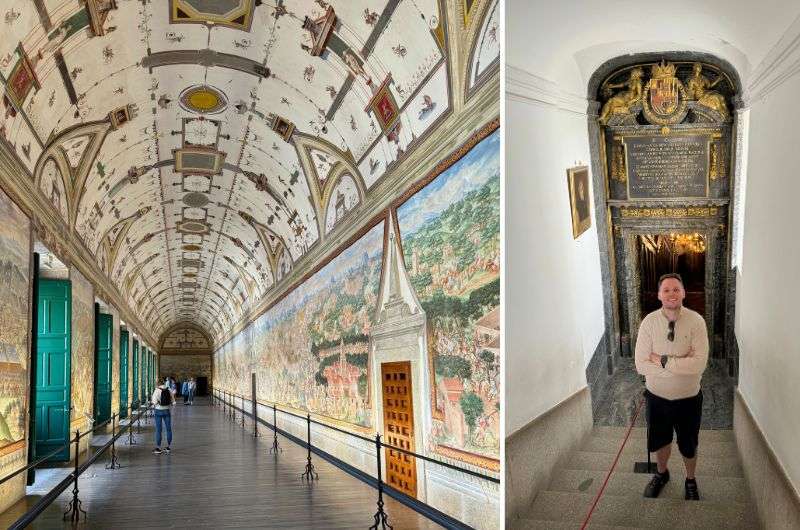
pixel 672 353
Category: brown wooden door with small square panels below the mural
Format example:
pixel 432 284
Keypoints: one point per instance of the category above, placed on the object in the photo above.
pixel 398 426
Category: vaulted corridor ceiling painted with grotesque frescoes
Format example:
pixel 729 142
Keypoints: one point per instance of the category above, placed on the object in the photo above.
pixel 199 148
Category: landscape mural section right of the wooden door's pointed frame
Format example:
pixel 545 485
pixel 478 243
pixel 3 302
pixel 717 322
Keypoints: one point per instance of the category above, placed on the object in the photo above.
pixel 451 244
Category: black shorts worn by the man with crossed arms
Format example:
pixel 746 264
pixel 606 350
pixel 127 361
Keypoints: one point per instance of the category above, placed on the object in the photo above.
pixel 679 415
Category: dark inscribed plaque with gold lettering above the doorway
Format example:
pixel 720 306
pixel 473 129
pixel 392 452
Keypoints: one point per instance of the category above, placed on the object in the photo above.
pixel 663 167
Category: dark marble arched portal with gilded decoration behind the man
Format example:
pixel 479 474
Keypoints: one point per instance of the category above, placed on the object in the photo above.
pixel 663 133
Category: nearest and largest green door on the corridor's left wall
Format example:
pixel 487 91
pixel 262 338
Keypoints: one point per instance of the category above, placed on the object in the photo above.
pixel 54 315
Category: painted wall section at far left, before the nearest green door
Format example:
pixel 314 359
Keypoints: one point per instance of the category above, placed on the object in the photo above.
pixel 14 275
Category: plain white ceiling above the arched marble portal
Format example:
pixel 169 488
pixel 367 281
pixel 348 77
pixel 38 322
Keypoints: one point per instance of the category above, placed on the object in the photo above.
pixel 565 42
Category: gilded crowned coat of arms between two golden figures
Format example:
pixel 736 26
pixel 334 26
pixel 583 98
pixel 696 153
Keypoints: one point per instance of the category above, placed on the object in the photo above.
pixel 664 96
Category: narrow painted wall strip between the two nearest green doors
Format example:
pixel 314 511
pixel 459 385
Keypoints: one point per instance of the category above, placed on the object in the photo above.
pixel 82 362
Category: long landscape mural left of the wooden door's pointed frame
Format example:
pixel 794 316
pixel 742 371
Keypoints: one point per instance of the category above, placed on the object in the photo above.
pixel 311 350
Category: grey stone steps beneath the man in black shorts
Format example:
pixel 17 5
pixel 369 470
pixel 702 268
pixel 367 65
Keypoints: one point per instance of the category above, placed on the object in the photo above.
pixel 724 504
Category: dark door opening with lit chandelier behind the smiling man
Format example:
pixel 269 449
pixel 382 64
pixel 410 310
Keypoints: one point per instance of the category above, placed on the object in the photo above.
pixel 675 252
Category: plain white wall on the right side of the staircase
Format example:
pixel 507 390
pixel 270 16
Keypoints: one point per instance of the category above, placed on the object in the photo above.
pixel 768 284
